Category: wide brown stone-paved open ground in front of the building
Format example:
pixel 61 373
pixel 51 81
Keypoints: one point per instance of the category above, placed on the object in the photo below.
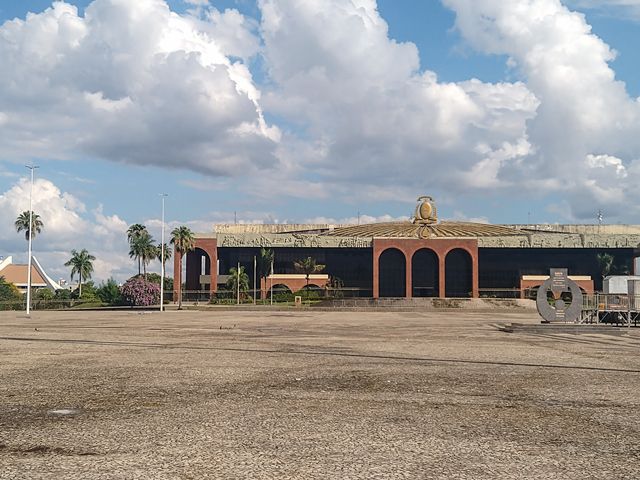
pixel 310 395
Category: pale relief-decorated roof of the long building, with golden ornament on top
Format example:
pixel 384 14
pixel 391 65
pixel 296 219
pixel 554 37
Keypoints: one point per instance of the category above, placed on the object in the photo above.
pixel 424 224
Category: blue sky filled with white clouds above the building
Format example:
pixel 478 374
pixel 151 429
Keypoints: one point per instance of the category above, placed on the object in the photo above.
pixel 291 111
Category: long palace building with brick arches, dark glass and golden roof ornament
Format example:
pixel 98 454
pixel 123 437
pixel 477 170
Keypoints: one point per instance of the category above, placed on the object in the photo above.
pixel 423 257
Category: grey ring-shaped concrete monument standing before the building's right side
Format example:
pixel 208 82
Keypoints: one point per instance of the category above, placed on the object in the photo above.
pixel 559 282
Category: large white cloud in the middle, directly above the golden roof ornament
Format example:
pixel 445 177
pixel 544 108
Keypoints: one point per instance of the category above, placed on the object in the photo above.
pixel 368 112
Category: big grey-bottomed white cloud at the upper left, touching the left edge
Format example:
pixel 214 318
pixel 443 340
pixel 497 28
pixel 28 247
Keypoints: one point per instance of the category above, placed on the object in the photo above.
pixel 131 82
